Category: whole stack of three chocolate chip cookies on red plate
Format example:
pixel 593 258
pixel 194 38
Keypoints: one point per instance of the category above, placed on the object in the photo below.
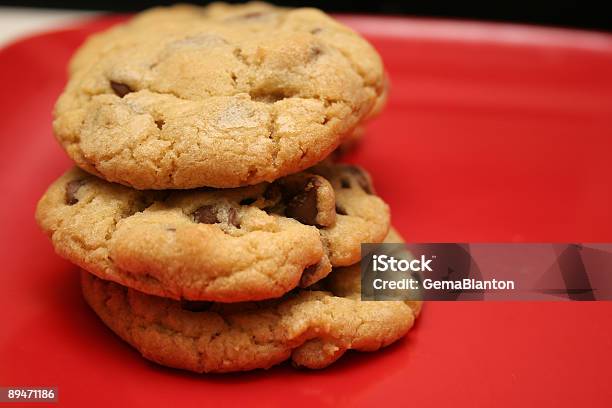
pixel 213 232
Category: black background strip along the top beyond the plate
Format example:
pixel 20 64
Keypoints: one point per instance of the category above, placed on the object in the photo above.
pixel 589 15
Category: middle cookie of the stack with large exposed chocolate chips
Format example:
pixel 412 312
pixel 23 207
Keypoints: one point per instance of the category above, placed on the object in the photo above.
pixel 249 243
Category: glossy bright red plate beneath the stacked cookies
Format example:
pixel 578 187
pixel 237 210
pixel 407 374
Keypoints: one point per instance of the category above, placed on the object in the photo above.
pixel 492 133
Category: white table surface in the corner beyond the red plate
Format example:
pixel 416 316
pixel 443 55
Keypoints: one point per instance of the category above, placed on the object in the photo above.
pixel 17 22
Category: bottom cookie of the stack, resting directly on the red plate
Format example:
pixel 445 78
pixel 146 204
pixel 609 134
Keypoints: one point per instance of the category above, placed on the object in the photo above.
pixel 313 328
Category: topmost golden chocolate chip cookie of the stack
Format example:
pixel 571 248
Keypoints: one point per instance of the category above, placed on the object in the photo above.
pixel 219 96
